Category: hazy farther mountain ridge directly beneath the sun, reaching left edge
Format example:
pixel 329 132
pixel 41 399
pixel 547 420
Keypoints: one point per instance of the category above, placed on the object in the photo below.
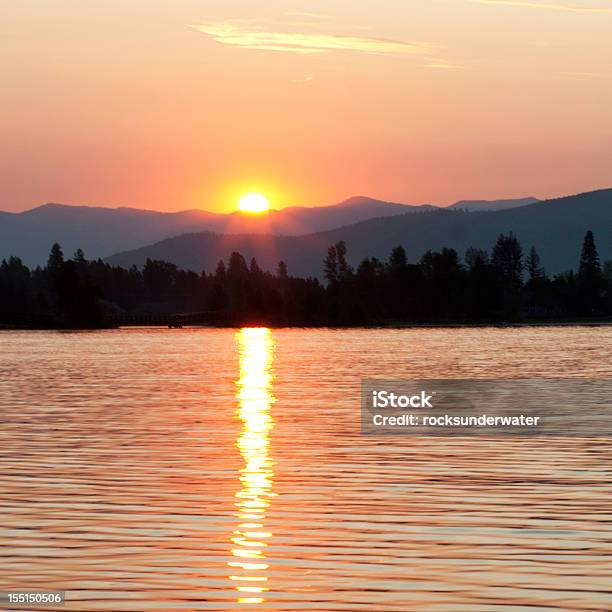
pixel 101 231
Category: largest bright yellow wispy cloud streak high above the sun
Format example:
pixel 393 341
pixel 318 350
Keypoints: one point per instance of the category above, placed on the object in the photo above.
pixel 269 36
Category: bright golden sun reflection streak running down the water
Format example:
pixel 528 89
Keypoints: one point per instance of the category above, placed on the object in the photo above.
pixel 254 395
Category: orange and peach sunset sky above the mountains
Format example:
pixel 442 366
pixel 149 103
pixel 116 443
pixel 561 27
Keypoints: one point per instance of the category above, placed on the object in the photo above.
pixel 188 104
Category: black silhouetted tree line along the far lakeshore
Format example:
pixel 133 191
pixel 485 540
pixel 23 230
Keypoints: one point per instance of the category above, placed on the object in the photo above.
pixel 503 285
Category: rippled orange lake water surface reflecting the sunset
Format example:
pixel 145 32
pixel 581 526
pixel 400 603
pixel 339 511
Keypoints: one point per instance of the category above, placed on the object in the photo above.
pixel 196 469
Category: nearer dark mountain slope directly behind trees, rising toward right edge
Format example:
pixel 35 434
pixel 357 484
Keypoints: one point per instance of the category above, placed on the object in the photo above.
pixel 556 227
